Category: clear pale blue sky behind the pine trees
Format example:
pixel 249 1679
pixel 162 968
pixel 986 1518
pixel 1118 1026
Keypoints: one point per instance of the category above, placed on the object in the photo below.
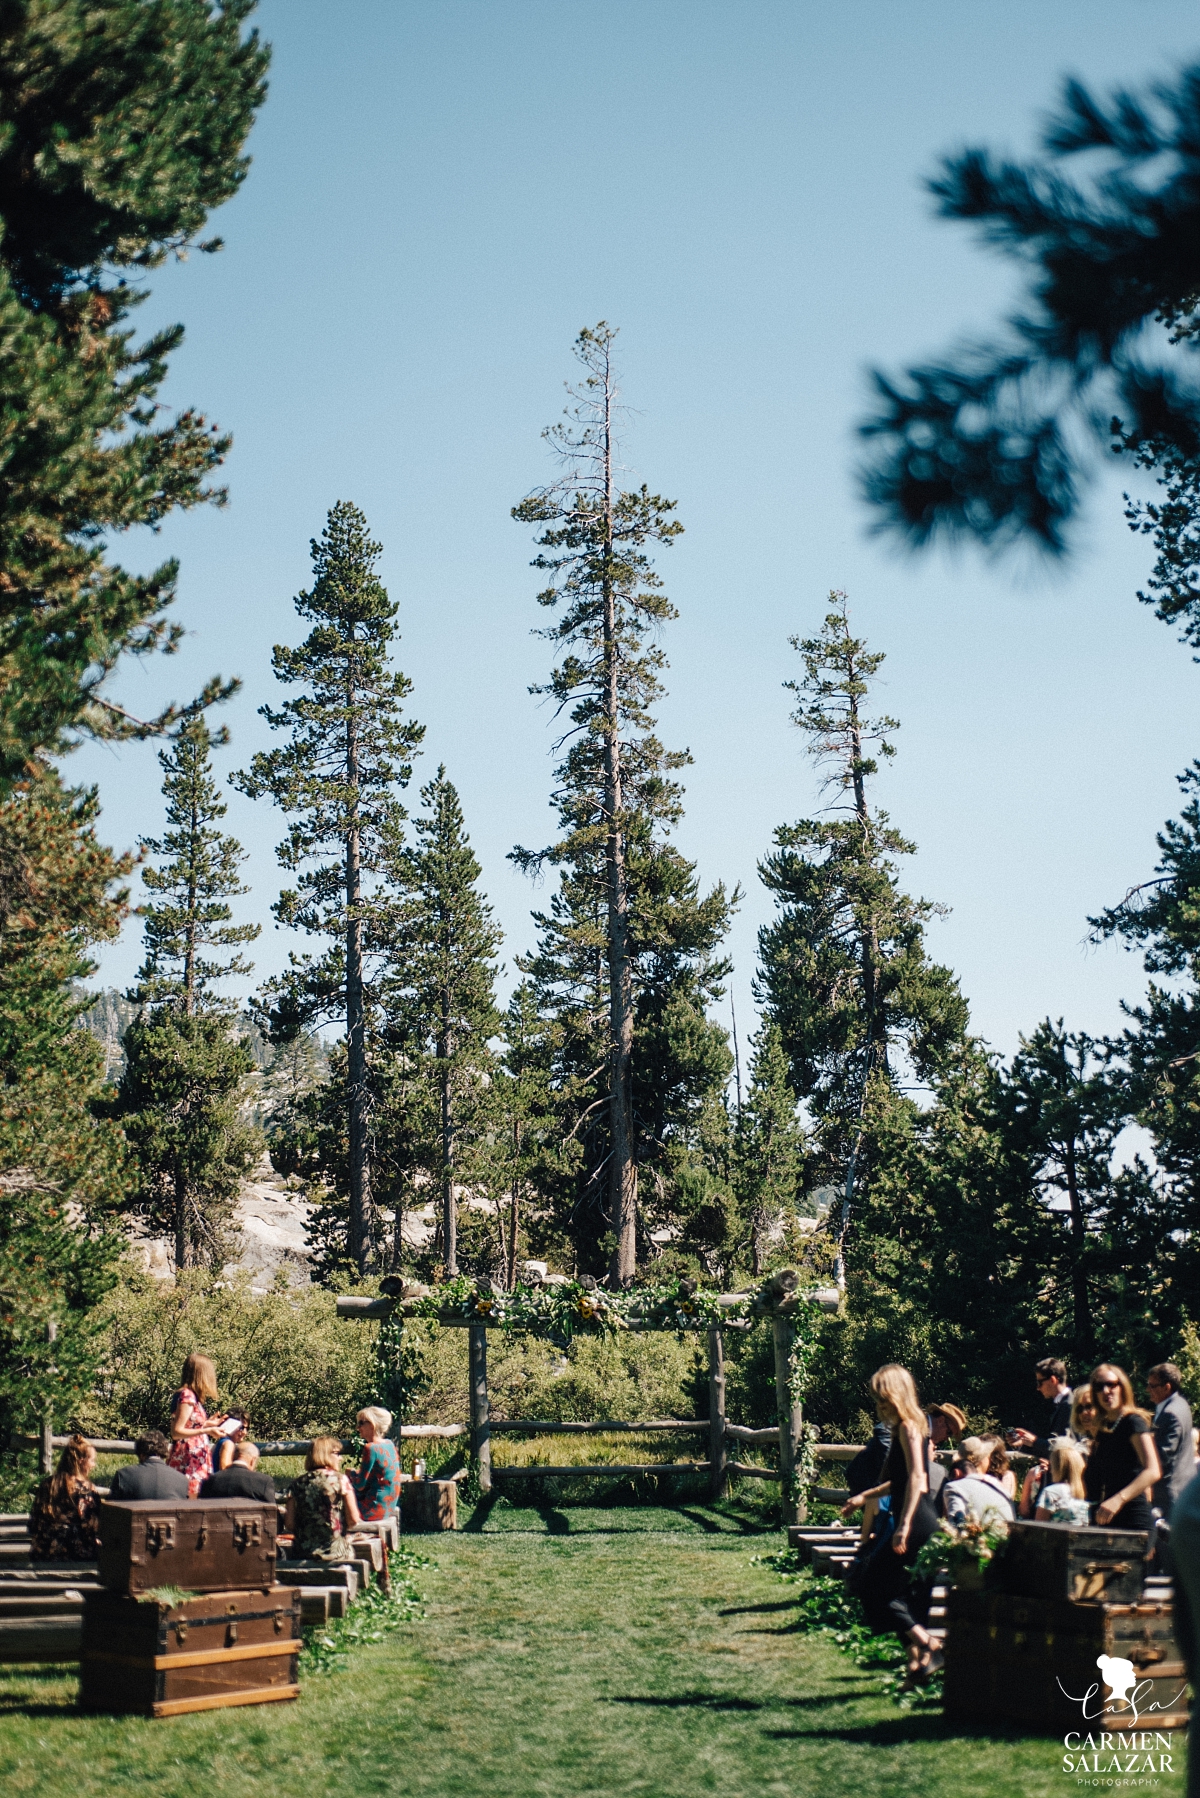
pixel 440 199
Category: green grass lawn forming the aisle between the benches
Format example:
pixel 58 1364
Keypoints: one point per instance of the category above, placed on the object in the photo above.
pixel 566 1655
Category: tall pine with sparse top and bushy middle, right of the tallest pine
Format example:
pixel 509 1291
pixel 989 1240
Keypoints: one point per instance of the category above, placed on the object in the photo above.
pixel 845 972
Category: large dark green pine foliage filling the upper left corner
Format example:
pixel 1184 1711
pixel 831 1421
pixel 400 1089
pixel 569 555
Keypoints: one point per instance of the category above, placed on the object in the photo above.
pixel 125 125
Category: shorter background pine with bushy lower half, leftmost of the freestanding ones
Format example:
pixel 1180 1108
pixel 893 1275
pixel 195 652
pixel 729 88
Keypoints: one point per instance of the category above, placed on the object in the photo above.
pixel 183 1089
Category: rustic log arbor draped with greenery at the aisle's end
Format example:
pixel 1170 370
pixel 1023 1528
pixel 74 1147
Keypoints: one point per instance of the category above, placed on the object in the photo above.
pixel 776 1303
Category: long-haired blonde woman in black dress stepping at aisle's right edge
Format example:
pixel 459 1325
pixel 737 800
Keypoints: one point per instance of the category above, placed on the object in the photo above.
pixel 891 1599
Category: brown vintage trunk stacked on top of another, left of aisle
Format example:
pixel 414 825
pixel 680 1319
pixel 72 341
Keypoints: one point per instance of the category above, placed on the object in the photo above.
pixel 197 1545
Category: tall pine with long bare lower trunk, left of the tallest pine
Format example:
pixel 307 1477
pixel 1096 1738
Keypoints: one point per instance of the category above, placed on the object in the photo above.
pixel 348 751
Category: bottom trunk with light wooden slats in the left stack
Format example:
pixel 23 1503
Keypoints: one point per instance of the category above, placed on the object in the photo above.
pixel 156 1659
